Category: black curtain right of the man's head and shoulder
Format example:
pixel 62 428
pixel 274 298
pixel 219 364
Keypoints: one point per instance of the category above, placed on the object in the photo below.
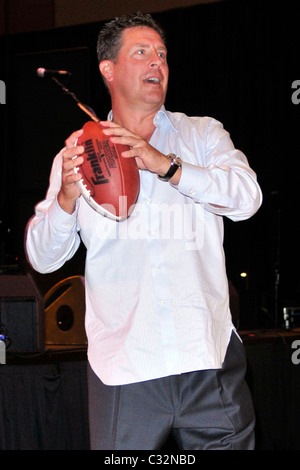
pixel 236 61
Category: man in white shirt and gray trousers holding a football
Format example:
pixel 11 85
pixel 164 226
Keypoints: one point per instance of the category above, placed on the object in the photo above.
pixel 163 353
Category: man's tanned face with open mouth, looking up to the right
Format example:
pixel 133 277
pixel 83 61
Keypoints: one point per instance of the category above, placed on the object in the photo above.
pixel 140 73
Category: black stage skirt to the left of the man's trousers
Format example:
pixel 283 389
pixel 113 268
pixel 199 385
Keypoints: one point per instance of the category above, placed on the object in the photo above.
pixel 44 407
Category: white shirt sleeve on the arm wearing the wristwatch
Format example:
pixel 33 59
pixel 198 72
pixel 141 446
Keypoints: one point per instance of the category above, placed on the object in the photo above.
pixel 223 180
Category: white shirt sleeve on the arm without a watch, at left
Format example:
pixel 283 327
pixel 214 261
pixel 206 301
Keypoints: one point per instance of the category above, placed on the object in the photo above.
pixel 52 235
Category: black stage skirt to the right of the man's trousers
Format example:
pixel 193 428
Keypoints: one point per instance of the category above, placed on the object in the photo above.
pixel 274 381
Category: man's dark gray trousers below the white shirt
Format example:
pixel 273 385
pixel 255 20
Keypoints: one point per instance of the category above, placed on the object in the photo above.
pixel 210 409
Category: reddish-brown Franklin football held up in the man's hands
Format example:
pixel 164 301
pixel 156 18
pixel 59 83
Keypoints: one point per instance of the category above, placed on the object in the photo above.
pixel 110 183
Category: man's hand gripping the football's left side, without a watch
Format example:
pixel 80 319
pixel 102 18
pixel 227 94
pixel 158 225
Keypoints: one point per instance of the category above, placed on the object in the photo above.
pixel 69 191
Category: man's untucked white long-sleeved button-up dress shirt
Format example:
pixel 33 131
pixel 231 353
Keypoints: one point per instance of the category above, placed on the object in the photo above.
pixel 157 300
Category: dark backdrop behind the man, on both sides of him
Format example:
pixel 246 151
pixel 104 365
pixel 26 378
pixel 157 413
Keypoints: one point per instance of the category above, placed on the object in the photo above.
pixel 233 60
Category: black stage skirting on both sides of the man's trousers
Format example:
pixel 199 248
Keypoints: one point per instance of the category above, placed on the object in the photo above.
pixel 45 406
